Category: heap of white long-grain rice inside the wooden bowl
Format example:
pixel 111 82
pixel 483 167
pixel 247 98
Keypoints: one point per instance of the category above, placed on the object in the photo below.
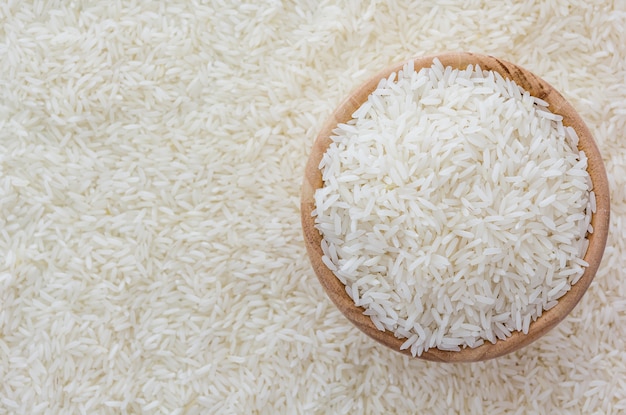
pixel 454 207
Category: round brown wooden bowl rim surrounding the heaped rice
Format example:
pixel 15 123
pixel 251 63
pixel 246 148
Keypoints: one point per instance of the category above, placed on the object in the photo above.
pixel 600 220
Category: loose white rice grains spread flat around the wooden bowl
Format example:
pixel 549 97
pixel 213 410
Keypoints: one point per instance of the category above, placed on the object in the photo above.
pixel 151 156
